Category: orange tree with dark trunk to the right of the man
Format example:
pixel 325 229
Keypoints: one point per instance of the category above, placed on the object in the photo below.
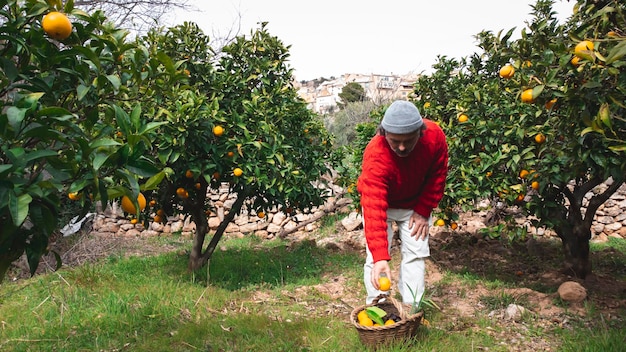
pixel 543 137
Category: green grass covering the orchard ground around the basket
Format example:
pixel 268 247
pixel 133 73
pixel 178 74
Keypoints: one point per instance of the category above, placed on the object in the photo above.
pixel 257 296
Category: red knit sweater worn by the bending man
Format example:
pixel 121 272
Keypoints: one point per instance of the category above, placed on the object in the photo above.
pixel 388 181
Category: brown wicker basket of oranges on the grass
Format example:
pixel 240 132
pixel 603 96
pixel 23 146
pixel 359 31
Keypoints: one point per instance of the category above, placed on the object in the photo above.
pixel 375 336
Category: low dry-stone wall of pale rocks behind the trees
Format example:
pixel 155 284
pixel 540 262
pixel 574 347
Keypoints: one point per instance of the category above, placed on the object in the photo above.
pixel 610 219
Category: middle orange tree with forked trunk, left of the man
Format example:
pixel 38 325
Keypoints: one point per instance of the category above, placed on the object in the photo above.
pixel 241 125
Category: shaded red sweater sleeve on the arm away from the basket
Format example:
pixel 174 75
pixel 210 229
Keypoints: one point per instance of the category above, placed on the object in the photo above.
pixel 435 182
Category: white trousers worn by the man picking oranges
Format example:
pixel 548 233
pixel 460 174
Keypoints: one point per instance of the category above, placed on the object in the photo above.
pixel 412 265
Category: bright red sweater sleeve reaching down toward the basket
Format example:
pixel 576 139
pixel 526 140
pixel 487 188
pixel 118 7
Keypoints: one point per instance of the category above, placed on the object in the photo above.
pixel 372 186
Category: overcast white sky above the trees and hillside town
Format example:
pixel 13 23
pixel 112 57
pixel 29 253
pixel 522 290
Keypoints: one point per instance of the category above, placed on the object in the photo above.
pixel 333 37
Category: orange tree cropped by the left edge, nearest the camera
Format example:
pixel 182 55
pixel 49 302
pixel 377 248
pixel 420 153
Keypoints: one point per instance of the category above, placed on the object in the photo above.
pixel 71 123
